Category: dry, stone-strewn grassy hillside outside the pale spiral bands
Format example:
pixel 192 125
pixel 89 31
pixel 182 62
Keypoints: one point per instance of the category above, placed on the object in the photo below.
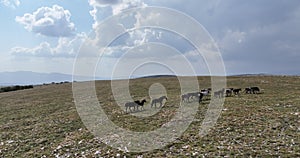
pixel 43 121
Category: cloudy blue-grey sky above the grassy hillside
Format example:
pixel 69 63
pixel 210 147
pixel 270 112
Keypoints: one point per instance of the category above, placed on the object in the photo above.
pixel 49 36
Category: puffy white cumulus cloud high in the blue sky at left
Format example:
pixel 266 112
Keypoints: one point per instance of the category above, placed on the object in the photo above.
pixel 55 21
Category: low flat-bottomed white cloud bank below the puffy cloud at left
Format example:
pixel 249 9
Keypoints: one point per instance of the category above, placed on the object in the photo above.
pixel 66 47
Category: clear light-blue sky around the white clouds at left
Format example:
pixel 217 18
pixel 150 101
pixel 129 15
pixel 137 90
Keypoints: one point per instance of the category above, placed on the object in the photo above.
pixel 14 35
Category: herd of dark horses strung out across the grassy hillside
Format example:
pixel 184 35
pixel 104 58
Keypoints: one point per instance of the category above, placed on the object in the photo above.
pixel 192 96
